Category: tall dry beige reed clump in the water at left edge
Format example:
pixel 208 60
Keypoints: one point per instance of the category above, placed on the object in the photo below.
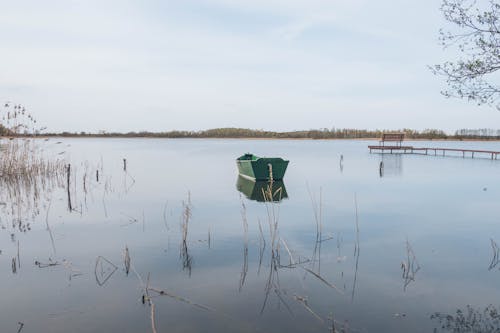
pixel 27 173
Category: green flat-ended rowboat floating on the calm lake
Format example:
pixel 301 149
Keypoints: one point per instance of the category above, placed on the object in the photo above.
pixel 261 168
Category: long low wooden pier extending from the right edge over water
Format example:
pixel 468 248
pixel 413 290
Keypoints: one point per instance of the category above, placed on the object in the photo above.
pixel 434 151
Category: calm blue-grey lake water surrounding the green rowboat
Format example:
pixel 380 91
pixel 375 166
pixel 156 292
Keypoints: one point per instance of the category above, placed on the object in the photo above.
pixel 350 248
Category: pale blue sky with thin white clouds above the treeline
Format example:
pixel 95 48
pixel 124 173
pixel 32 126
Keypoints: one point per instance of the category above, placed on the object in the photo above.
pixel 275 65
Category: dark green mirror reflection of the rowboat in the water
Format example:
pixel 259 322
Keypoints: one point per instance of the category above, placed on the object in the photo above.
pixel 259 190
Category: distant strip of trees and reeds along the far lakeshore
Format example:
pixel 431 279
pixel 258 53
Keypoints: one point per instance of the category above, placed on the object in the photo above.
pixel 316 134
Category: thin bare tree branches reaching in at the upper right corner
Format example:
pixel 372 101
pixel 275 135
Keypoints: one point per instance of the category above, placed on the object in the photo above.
pixel 477 37
